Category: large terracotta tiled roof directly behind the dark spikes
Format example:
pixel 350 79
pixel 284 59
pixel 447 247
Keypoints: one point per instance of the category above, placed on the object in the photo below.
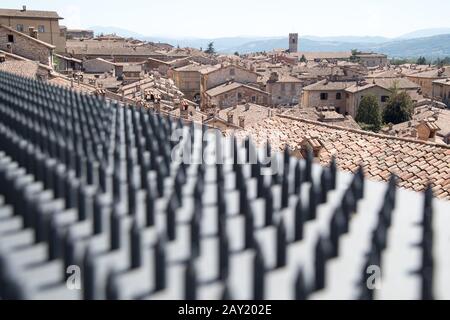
pixel 415 163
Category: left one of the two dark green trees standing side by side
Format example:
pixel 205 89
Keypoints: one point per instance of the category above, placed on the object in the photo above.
pixel 368 114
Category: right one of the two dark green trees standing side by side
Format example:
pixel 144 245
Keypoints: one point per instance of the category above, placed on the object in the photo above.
pixel 399 107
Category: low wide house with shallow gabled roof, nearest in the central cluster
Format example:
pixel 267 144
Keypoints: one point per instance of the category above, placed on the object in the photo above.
pixel 233 93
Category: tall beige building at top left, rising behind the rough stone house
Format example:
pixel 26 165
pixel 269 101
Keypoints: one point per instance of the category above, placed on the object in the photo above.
pixel 46 24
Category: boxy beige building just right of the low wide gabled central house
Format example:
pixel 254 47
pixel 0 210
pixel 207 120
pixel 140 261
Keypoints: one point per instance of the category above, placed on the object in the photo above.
pixel 283 89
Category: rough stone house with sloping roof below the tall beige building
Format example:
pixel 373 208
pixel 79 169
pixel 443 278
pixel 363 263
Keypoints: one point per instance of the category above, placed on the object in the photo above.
pixel 27 46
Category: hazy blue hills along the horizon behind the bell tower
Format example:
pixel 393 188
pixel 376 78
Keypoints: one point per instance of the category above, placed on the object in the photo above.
pixel 431 43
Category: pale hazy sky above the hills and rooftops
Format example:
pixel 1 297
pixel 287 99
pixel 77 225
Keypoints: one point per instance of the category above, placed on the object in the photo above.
pixel 218 18
